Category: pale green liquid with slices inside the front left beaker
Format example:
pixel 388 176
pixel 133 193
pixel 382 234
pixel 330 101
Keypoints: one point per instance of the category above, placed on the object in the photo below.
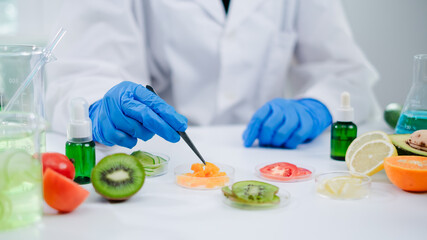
pixel 20 189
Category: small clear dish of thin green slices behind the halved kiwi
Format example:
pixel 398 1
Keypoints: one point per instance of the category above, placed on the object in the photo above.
pixel 155 164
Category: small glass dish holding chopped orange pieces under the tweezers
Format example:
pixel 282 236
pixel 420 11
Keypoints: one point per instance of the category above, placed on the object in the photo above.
pixel 203 183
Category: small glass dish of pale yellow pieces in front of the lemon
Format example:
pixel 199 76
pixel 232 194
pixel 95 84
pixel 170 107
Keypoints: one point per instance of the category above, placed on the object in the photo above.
pixel 343 185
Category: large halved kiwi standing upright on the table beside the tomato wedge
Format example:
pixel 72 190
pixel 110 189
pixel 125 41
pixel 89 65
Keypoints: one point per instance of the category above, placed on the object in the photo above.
pixel 118 176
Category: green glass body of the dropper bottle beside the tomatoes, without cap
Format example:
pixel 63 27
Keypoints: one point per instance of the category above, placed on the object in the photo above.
pixel 83 155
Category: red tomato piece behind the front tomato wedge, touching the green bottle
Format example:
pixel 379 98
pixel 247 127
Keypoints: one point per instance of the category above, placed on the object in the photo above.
pixel 59 163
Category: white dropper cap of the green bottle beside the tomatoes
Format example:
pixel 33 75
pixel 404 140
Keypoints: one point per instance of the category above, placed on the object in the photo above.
pixel 80 126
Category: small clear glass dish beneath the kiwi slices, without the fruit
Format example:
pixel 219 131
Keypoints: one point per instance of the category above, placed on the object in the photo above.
pixel 284 196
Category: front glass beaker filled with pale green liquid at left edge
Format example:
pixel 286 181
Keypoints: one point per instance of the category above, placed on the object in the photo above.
pixel 21 198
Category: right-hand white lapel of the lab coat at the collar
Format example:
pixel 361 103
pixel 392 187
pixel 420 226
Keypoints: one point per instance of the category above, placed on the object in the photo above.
pixel 240 10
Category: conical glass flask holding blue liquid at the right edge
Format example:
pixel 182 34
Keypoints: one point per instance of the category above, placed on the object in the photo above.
pixel 414 112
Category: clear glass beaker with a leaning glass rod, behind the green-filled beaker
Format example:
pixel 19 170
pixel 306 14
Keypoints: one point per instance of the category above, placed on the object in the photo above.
pixel 16 62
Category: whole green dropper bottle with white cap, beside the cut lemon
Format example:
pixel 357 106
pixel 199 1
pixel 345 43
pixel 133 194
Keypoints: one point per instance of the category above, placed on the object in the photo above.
pixel 343 131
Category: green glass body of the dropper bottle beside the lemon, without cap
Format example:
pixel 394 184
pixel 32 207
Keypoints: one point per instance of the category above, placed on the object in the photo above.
pixel 342 134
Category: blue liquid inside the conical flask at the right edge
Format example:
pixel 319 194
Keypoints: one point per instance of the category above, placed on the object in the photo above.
pixel 411 121
